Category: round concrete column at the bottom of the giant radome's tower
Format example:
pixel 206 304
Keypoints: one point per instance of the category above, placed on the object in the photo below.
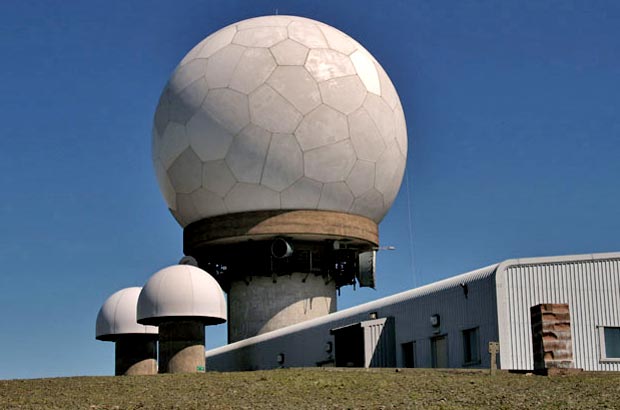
pixel 264 303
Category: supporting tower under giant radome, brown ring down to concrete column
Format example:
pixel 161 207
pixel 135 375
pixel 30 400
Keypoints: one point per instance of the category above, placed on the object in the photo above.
pixel 266 291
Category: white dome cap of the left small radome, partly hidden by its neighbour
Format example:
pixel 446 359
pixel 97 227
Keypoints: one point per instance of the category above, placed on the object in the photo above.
pixel 117 316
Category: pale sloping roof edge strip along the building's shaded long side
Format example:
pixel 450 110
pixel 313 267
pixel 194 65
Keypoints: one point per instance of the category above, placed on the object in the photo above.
pixel 435 287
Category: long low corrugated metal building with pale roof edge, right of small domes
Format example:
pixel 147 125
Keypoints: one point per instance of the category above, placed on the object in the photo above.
pixel 450 323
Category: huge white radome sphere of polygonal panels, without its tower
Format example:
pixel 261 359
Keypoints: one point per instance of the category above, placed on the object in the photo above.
pixel 279 112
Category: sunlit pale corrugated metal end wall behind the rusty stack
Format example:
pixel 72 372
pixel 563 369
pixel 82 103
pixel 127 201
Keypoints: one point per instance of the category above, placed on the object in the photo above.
pixel 590 284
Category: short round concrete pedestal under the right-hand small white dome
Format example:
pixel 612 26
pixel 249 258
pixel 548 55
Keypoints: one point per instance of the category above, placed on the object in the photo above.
pixel 182 347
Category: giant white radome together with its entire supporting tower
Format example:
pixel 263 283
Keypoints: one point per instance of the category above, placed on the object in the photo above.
pixel 279 144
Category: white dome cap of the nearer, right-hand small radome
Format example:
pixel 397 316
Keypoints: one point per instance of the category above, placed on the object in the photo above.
pixel 181 292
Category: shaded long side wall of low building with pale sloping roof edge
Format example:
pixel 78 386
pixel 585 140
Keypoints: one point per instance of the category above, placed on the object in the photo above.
pixel 459 308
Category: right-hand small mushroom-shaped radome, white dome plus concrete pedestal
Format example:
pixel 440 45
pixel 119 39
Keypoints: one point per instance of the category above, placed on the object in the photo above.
pixel 181 300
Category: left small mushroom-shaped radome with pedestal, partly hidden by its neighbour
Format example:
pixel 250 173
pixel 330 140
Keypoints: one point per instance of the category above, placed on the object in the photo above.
pixel 135 344
